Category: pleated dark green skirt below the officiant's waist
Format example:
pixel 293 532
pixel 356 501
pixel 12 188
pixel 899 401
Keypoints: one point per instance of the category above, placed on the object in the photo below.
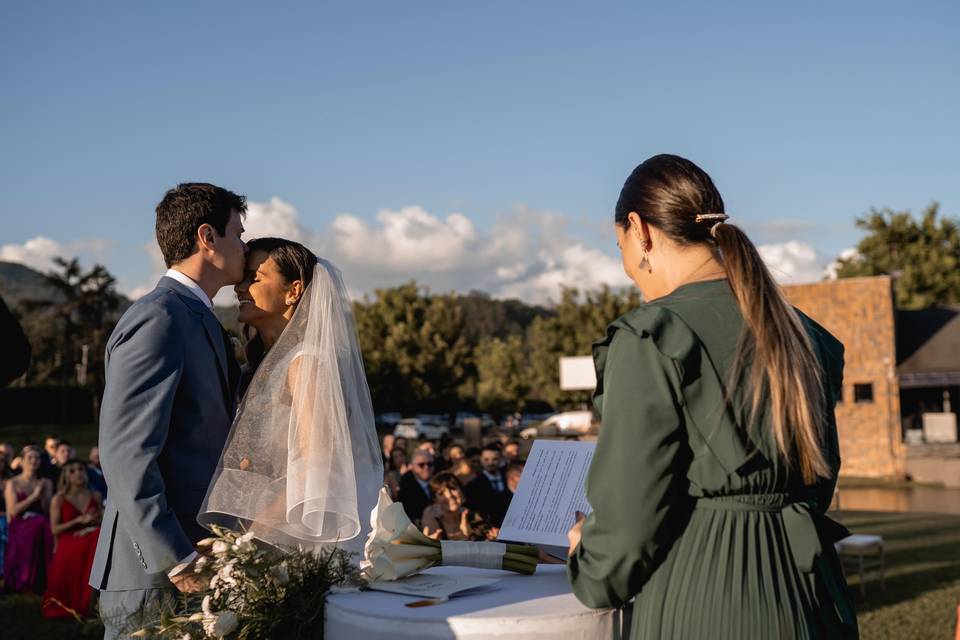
pixel 733 573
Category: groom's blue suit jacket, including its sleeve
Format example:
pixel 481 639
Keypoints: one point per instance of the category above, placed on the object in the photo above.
pixel 166 413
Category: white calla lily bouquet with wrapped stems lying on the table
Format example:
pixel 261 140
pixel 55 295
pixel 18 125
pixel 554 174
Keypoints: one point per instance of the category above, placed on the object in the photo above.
pixel 396 548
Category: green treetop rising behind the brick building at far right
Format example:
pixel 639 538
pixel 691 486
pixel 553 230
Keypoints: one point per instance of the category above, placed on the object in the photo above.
pixel 923 255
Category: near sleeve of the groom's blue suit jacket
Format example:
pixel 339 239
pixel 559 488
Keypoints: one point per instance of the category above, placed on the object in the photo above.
pixel 145 363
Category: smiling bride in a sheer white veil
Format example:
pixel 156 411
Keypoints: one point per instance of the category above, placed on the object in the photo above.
pixel 301 467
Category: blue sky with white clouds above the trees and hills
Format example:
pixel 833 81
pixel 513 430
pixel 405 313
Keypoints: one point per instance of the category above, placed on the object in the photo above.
pixel 507 114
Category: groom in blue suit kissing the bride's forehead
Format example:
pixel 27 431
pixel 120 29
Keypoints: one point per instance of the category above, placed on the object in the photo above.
pixel 167 408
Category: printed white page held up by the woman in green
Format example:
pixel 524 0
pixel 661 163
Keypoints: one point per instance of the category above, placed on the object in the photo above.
pixel 552 489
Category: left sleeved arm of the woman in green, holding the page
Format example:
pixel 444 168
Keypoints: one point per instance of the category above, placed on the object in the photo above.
pixel 634 479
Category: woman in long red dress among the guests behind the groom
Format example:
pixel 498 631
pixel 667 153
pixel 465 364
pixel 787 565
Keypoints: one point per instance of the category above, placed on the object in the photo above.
pixel 75 519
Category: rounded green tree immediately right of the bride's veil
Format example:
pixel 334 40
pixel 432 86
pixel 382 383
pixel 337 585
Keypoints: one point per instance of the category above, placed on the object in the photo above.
pixel 414 349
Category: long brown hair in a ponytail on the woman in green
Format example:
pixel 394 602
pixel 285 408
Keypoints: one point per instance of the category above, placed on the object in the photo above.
pixel 672 194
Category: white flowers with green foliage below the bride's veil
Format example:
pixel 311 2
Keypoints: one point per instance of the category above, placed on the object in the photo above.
pixel 254 591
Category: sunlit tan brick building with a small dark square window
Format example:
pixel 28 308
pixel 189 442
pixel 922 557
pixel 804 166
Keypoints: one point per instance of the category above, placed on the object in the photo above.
pixel 860 313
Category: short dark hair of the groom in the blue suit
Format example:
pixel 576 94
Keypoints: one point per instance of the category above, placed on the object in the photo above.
pixel 184 209
